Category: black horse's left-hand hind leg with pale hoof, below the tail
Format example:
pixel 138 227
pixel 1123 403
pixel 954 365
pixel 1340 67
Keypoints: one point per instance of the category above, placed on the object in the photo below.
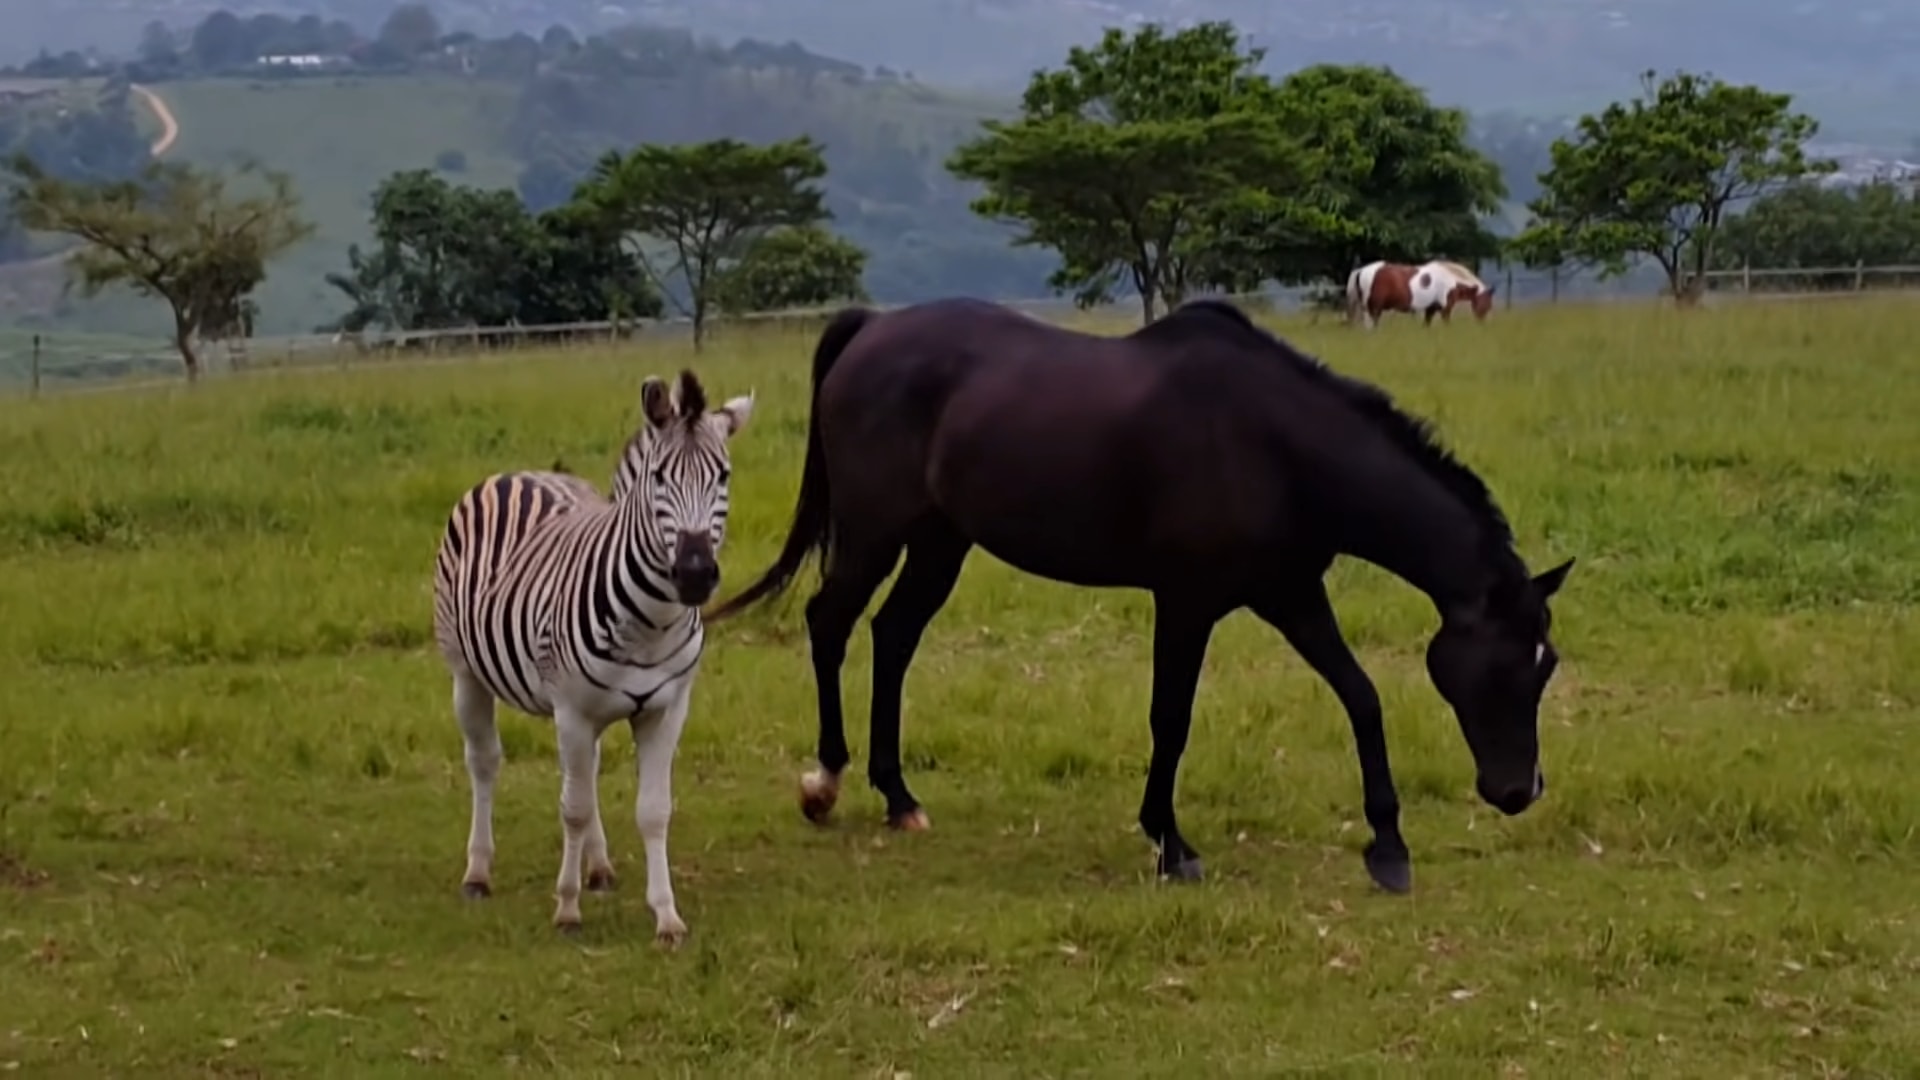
pixel 855 570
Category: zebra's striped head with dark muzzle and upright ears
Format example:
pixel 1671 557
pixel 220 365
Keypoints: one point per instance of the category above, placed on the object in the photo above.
pixel 681 466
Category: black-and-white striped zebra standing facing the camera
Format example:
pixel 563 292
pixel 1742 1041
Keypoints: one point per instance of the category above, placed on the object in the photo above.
pixel 581 608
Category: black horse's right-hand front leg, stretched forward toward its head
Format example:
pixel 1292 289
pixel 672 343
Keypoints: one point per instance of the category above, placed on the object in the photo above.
pixel 1307 620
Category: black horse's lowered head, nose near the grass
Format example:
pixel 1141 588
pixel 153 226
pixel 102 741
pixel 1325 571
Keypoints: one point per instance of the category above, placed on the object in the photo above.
pixel 1493 662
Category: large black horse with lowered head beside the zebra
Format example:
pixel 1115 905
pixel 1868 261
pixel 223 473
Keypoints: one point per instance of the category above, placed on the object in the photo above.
pixel 1199 458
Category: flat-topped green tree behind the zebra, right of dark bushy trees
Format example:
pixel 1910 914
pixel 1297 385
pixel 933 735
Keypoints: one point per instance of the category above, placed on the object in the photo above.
pixel 706 205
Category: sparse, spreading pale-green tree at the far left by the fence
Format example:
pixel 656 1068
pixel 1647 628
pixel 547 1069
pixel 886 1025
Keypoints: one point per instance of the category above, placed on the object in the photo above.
pixel 174 233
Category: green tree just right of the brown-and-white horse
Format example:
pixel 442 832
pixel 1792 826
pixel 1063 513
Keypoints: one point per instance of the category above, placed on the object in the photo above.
pixel 1656 178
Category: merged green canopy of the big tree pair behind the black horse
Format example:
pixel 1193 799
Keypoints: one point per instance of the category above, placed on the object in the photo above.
pixel 1168 160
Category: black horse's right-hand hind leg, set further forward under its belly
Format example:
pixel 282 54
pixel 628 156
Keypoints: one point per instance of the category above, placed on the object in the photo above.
pixel 934 560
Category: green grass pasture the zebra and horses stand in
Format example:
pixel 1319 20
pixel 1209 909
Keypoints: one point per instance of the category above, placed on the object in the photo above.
pixel 233 806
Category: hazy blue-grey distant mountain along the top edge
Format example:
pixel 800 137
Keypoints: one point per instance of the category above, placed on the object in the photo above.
pixel 1858 64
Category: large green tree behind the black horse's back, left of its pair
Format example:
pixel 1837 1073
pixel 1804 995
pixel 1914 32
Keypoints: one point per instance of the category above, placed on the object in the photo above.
pixel 1130 159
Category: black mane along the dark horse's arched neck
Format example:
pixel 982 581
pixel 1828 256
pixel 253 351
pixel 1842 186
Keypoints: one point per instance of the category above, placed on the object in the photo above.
pixel 1416 437
